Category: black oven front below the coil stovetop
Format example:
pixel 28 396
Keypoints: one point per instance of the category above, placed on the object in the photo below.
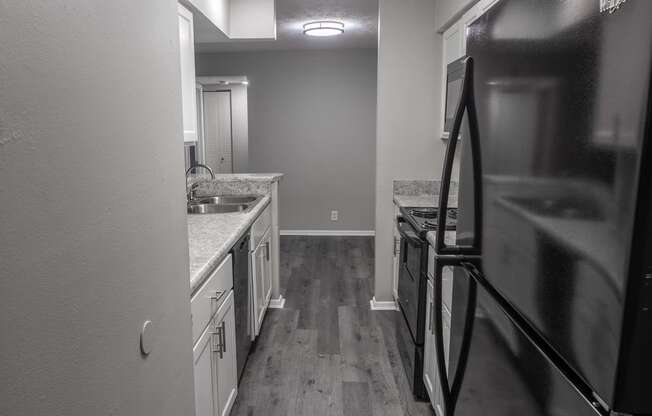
pixel 410 322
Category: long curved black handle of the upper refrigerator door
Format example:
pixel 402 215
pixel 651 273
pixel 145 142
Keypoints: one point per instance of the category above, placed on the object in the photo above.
pixel 466 103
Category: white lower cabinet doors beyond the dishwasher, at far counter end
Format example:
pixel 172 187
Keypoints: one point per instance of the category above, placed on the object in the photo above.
pixel 261 274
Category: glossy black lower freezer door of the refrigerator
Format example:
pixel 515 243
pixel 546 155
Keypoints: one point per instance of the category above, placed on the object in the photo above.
pixel 505 373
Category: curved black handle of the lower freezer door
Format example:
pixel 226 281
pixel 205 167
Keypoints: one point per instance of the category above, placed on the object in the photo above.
pixel 451 386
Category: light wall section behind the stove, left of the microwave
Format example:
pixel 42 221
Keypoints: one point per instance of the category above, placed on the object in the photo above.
pixel 409 86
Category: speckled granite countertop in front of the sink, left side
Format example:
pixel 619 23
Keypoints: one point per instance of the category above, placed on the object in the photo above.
pixel 211 236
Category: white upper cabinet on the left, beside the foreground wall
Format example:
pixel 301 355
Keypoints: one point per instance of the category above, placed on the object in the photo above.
pixel 187 59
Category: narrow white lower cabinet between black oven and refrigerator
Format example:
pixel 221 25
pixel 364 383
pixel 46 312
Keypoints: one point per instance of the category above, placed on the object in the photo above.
pixel 430 371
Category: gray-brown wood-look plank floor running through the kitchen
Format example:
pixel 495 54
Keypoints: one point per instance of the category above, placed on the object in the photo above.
pixel 326 353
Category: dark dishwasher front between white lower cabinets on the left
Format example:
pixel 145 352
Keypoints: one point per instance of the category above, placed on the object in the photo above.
pixel 240 253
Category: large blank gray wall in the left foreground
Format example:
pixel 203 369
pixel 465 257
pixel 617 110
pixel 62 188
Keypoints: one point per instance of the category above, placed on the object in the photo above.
pixel 90 141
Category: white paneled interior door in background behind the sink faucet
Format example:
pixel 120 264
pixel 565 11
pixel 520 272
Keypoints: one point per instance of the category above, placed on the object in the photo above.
pixel 218 135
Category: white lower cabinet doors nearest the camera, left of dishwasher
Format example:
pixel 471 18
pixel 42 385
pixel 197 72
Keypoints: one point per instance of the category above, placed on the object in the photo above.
pixel 216 380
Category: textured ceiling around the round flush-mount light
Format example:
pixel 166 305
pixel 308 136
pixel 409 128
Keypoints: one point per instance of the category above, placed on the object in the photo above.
pixel 360 18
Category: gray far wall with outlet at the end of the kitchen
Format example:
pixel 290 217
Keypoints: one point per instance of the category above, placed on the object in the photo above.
pixel 311 116
